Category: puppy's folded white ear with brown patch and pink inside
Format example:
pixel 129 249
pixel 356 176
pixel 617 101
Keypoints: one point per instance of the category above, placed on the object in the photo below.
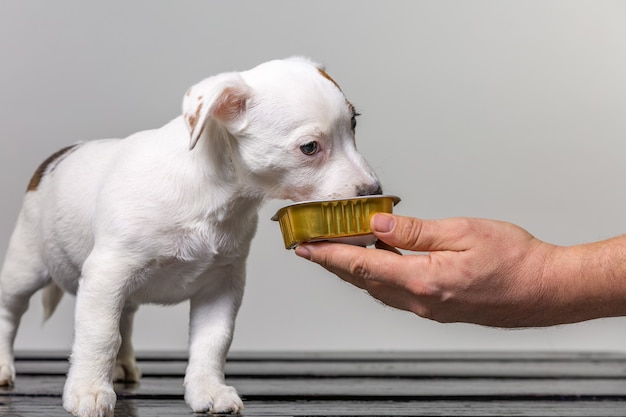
pixel 222 97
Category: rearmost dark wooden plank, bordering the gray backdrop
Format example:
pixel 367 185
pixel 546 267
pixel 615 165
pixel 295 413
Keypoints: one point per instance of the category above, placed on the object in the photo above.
pixel 474 366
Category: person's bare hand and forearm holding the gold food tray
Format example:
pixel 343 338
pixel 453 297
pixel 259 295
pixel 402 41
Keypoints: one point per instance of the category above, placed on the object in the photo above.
pixel 481 271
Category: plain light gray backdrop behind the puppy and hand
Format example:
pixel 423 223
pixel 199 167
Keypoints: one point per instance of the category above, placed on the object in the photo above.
pixel 507 110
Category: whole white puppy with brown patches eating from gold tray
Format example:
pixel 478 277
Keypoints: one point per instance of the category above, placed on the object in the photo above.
pixel 167 215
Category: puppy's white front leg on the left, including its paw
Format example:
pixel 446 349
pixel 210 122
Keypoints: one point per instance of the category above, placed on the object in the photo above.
pixel 89 388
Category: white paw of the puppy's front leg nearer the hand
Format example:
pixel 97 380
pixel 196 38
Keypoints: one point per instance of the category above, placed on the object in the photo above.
pixel 214 398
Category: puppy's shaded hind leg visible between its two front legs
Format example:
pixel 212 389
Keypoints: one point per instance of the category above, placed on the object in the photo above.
pixel 126 368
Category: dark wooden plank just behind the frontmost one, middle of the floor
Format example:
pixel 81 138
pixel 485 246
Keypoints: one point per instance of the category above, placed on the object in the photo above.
pixel 352 388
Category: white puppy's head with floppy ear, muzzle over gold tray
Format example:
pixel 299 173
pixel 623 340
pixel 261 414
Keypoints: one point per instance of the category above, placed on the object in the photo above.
pixel 289 128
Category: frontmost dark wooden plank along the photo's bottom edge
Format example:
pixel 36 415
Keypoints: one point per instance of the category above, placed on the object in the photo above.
pixel 52 407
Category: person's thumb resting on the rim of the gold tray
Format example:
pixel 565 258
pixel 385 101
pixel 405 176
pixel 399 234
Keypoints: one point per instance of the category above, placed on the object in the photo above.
pixel 416 234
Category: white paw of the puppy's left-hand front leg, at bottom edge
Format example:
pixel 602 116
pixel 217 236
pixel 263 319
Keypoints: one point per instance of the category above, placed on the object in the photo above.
pixel 85 400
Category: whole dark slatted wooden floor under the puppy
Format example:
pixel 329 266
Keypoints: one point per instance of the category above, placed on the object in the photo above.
pixel 363 384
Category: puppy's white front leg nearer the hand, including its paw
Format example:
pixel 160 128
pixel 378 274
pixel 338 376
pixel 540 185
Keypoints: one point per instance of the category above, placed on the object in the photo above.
pixel 211 330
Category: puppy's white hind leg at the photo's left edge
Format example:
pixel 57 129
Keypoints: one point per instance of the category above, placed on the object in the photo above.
pixel 23 274
